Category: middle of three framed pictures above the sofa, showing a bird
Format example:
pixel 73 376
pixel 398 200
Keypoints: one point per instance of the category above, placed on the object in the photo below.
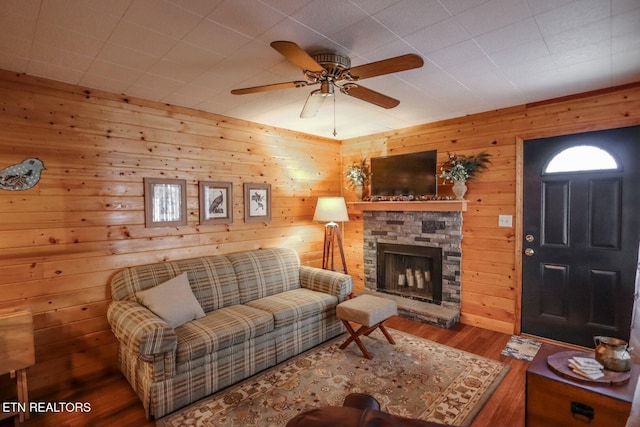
pixel 216 202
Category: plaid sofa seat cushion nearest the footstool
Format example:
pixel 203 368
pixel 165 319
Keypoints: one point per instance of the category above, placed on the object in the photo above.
pixel 295 305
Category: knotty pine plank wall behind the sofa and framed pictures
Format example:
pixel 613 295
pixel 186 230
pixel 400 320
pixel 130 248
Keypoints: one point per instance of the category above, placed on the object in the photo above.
pixel 61 241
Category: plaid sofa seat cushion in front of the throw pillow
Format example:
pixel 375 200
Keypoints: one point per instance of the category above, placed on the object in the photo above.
pixel 220 329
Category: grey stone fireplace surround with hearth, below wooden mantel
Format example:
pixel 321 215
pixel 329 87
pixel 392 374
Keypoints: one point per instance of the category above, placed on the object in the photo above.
pixel 442 229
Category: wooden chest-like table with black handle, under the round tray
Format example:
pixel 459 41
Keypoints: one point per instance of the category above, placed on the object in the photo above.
pixel 553 400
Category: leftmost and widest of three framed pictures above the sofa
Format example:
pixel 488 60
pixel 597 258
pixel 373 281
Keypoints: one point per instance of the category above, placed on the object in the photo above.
pixel 165 202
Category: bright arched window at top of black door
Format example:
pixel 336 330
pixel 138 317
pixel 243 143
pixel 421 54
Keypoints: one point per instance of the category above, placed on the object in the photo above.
pixel 580 158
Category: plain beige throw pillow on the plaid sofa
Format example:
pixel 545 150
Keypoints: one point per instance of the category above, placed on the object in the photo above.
pixel 173 301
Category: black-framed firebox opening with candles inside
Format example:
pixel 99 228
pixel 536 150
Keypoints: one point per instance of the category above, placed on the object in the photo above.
pixel 410 271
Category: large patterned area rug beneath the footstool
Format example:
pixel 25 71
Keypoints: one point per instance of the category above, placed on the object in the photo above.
pixel 415 378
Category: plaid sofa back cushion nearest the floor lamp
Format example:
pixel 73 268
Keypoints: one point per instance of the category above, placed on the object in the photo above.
pixel 266 272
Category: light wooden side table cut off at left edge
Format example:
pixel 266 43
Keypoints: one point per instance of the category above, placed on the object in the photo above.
pixel 16 355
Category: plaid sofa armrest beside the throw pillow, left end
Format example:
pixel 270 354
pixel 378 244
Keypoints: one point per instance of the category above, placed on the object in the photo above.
pixel 140 329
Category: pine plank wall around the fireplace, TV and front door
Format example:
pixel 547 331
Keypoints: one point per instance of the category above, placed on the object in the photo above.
pixel 490 286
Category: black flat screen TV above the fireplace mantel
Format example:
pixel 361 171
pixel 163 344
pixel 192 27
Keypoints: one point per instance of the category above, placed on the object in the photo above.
pixel 412 174
